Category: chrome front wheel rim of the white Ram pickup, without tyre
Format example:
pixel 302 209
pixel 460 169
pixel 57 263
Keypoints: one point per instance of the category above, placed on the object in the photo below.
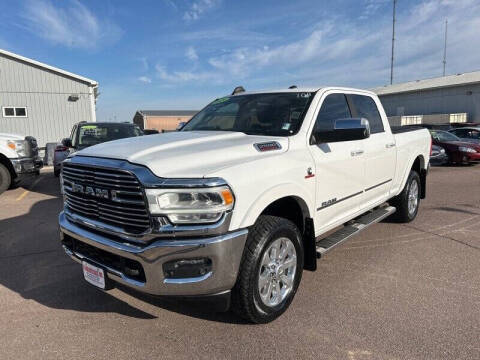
pixel 277 272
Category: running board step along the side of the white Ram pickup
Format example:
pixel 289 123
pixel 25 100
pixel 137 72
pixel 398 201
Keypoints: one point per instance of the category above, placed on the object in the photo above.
pixel 352 228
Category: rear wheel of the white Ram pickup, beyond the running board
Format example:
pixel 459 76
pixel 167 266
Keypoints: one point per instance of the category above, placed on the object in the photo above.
pixel 408 201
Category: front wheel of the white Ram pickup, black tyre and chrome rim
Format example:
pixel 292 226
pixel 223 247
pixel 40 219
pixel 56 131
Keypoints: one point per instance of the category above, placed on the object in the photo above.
pixel 270 271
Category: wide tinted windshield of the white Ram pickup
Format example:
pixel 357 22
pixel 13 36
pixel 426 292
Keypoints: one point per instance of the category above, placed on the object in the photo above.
pixel 273 114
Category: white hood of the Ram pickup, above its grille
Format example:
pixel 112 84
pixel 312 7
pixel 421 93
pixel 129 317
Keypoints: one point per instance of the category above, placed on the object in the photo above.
pixel 187 153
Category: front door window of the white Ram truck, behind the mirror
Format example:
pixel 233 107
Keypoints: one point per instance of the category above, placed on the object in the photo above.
pixel 334 107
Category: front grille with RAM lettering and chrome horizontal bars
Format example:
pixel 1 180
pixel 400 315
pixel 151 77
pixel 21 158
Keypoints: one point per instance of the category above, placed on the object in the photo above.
pixel 111 197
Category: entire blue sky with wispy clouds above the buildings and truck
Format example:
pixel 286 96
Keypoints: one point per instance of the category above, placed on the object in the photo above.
pixel 181 54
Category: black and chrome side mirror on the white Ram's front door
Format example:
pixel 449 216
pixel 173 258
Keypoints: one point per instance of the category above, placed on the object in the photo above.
pixel 343 130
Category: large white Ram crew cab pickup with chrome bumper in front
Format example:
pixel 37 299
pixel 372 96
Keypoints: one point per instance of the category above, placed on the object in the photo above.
pixel 238 203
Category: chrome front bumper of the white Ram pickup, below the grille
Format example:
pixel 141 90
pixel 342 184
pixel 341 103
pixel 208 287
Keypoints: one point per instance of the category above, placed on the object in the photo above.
pixel 225 252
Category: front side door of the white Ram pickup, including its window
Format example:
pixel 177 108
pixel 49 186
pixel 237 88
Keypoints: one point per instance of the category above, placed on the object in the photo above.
pixel 340 166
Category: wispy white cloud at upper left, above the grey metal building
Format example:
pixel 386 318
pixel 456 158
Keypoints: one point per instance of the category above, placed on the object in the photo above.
pixel 73 26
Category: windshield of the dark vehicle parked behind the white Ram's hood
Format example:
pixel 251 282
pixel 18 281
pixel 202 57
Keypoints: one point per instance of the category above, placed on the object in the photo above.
pixel 89 135
